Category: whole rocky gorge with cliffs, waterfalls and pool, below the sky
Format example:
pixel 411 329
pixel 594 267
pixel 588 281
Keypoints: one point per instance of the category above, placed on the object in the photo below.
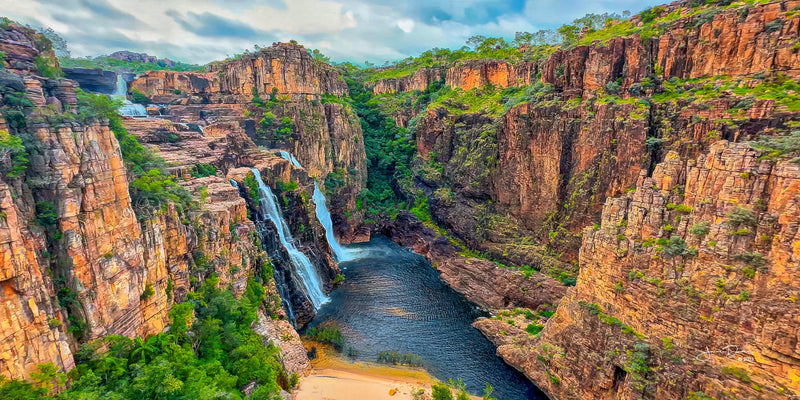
pixel 611 215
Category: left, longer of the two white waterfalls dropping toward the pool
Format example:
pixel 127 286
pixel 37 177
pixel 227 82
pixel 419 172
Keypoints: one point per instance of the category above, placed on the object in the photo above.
pixel 302 265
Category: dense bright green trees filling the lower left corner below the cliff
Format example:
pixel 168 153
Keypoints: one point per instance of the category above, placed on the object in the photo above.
pixel 209 352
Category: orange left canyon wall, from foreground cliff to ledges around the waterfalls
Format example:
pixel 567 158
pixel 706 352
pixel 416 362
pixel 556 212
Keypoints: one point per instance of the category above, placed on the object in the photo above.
pixel 80 259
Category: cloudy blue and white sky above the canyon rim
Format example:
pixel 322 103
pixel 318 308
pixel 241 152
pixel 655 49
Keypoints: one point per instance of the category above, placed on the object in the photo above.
pixel 200 31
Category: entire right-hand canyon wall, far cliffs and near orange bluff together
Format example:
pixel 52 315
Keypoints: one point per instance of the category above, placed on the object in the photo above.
pixel 694 245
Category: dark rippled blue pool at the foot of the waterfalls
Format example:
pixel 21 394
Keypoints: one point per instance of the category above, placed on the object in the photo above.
pixel 393 299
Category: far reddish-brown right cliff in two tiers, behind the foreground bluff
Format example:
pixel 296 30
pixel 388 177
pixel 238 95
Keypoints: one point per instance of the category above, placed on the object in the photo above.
pixel 570 152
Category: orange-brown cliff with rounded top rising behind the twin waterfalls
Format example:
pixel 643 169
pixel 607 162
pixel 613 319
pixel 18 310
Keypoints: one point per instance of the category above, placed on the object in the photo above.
pixel 280 87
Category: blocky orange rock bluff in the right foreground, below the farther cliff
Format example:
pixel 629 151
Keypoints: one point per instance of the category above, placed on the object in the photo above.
pixel 681 293
